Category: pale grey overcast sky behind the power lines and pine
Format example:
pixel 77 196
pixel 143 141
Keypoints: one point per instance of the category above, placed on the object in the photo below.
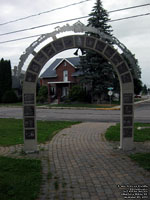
pixel 133 33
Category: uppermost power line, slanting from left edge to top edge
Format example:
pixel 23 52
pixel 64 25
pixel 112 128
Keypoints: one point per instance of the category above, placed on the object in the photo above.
pixel 44 12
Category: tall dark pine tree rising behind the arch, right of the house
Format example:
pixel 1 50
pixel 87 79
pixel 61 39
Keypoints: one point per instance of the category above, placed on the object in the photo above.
pixel 98 73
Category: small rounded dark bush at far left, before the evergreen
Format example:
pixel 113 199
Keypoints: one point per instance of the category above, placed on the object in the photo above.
pixel 9 97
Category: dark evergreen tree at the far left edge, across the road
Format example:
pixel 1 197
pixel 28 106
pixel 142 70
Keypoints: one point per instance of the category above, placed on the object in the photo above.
pixel 5 77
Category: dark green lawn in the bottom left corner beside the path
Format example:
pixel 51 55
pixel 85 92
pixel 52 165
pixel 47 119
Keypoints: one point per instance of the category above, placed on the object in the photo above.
pixel 20 179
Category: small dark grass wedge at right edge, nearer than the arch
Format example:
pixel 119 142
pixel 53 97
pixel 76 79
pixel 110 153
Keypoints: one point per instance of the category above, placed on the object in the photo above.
pixel 143 159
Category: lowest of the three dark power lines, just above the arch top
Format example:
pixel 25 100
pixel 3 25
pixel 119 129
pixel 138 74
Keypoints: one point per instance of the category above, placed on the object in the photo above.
pixel 7 41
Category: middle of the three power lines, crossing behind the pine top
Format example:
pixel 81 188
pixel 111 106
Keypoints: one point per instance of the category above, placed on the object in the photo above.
pixel 41 26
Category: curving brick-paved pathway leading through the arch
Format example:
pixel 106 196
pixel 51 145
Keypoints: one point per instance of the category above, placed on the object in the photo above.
pixel 78 164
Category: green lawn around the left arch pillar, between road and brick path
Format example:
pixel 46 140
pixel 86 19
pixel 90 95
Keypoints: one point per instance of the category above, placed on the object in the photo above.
pixel 11 130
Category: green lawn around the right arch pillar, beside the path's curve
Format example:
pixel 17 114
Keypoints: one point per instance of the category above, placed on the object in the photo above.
pixel 113 133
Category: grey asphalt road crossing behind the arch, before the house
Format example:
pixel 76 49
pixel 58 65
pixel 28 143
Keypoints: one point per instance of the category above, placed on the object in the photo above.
pixel 142 114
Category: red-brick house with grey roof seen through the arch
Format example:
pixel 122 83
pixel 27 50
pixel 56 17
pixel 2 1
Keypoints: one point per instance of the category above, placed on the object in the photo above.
pixel 60 76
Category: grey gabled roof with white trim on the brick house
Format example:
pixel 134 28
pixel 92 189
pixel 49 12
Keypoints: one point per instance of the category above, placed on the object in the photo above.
pixel 50 72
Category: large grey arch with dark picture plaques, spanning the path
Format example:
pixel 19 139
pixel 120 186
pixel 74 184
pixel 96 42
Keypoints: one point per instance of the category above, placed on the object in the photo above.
pixel 70 42
